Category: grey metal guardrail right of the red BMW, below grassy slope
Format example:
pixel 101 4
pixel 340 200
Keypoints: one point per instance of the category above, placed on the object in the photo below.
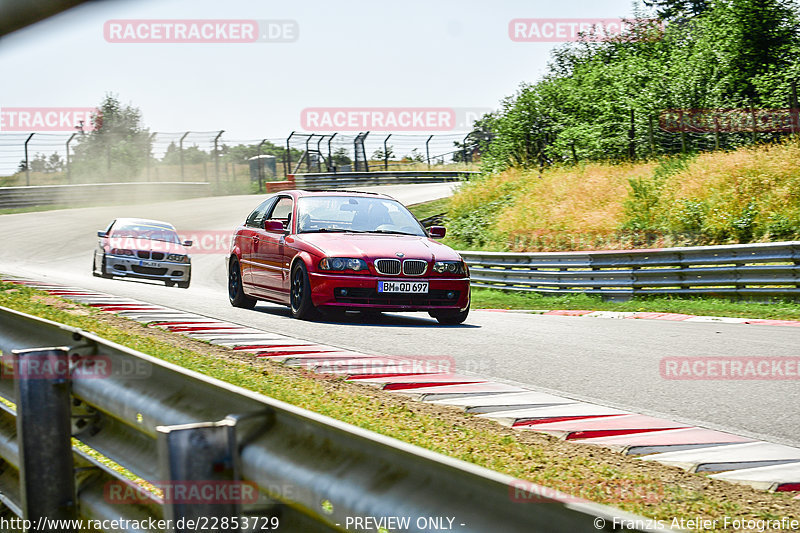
pixel 748 270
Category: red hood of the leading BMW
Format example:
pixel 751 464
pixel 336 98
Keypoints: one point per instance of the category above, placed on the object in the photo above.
pixel 373 246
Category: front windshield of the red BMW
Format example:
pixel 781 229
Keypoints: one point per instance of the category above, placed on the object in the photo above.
pixel 356 214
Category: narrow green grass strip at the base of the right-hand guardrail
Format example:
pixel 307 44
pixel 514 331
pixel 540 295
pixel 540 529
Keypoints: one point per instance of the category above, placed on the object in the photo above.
pixel 496 299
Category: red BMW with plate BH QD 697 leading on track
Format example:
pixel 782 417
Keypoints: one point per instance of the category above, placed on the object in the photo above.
pixel 342 250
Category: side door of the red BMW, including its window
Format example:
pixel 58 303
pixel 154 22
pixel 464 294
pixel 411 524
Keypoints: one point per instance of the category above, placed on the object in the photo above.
pixel 268 268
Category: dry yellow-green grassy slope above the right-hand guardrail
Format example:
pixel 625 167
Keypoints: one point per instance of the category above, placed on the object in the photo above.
pixel 751 194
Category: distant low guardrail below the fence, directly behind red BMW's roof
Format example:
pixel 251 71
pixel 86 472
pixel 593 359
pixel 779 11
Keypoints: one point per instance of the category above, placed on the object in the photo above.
pixel 343 180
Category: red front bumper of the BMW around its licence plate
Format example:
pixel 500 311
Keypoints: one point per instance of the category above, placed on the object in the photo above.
pixel 451 294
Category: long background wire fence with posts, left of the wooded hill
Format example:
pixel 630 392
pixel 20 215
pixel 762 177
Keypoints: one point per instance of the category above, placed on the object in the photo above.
pixel 231 164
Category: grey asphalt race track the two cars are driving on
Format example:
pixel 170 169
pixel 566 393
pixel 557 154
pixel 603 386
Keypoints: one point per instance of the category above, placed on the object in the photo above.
pixel 612 362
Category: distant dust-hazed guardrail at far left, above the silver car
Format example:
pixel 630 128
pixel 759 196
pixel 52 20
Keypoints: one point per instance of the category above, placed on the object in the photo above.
pixel 82 194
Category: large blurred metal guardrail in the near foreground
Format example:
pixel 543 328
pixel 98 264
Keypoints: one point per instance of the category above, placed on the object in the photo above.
pixel 167 424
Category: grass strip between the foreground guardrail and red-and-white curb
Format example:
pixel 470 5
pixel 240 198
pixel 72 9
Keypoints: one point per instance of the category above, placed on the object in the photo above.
pixel 600 475
